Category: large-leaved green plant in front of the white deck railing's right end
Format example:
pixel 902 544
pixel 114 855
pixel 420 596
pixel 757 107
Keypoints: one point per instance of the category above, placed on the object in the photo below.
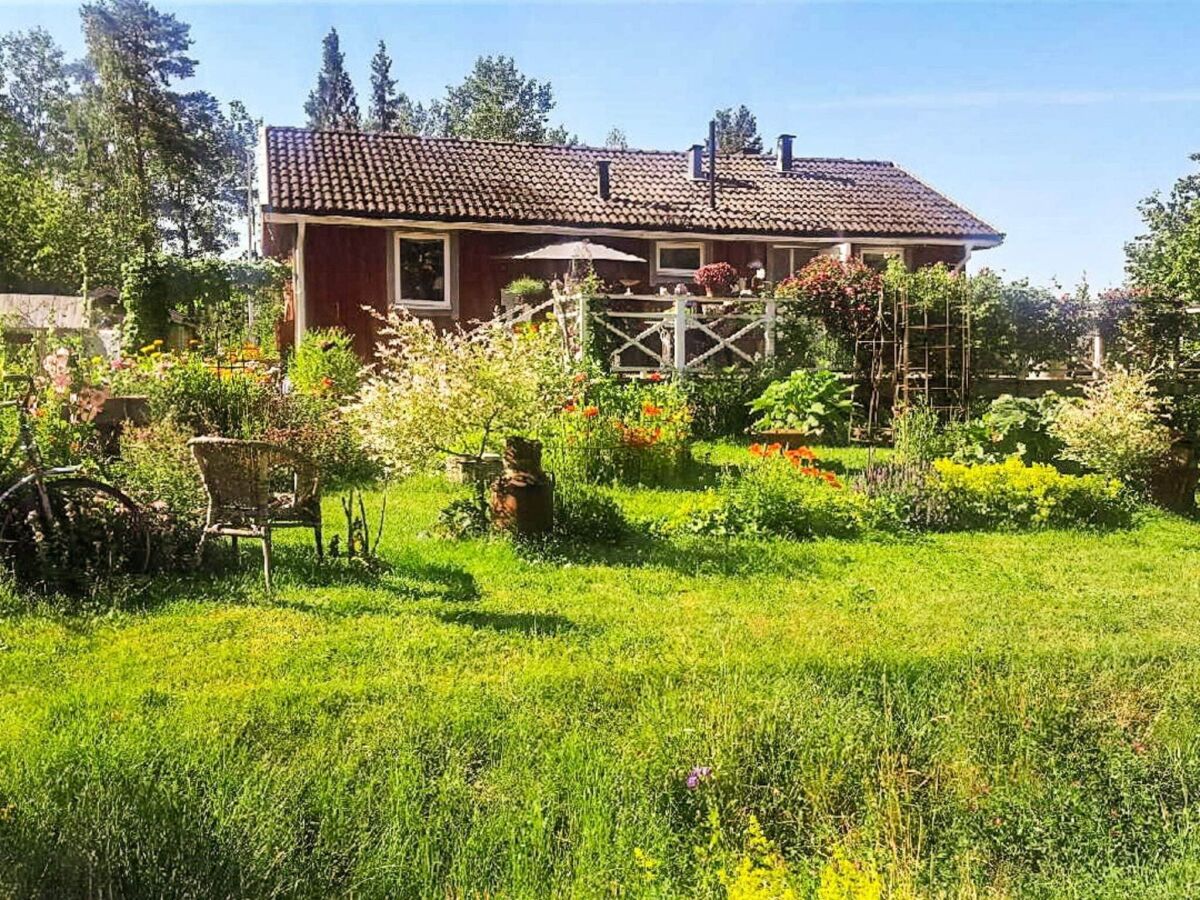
pixel 814 404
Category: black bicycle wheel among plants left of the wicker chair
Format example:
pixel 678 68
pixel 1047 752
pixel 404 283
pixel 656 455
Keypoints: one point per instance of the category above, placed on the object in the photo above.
pixel 94 531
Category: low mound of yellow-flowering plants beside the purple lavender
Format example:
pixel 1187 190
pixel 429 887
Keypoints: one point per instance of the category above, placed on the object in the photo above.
pixel 1012 495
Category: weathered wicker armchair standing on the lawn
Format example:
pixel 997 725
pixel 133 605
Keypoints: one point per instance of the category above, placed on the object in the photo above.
pixel 239 477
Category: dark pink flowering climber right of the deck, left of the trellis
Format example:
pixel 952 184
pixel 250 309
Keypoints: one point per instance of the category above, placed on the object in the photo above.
pixel 841 295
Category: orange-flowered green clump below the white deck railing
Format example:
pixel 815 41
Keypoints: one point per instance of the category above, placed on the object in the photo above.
pixel 621 431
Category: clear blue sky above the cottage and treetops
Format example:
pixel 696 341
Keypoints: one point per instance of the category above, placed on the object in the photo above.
pixel 1048 119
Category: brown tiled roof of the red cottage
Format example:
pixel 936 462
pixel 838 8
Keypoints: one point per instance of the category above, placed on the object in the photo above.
pixel 453 181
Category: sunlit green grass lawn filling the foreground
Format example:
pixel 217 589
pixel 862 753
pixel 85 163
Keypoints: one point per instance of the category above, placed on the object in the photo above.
pixel 971 715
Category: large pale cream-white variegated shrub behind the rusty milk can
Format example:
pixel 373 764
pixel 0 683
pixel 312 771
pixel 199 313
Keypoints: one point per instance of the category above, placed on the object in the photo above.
pixel 436 393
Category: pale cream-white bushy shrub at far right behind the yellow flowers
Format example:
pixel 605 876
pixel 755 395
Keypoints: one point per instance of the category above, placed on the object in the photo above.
pixel 1118 430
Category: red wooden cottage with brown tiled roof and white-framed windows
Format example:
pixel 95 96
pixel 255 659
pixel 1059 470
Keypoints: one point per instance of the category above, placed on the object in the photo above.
pixel 435 224
